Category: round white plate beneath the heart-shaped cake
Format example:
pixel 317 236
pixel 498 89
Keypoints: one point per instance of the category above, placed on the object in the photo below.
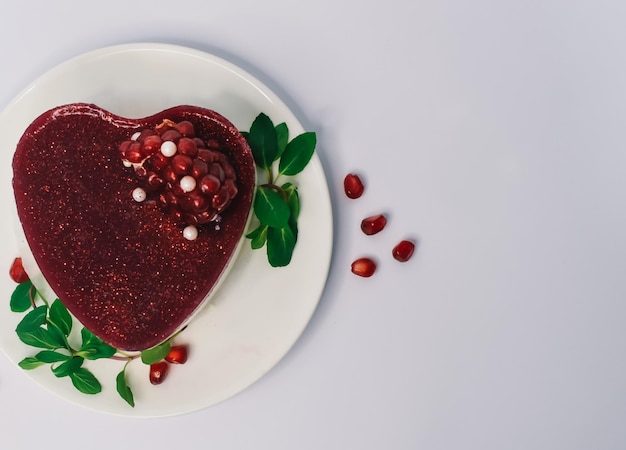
pixel 259 312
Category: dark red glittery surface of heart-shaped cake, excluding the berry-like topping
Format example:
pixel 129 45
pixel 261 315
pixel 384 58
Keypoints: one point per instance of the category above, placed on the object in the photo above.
pixel 122 268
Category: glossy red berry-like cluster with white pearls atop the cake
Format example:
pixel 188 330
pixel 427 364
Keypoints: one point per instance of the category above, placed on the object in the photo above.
pixel 190 178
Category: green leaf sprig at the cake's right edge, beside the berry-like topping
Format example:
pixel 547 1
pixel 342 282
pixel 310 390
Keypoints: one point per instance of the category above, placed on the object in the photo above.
pixel 276 205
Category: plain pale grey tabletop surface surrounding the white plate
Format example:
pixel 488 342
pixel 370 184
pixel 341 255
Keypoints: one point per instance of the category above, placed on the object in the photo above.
pixel 492 132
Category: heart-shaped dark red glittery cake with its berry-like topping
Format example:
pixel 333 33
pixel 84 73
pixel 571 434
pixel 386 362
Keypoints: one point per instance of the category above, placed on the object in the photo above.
pixel 133 222
